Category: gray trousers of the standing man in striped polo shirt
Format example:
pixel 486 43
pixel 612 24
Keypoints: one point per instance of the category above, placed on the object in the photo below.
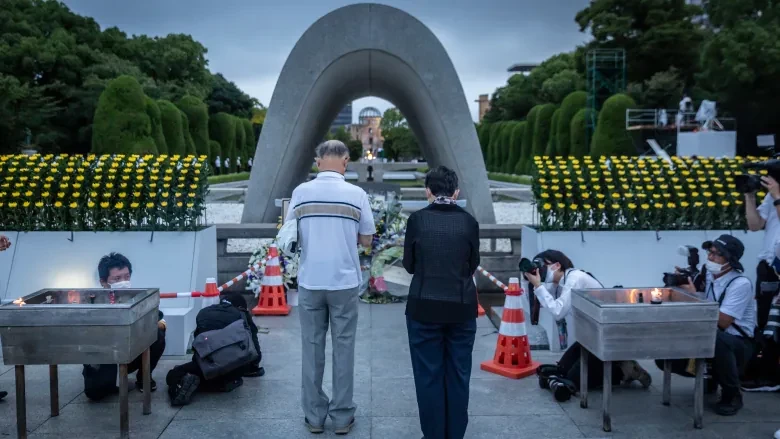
pixel 316 309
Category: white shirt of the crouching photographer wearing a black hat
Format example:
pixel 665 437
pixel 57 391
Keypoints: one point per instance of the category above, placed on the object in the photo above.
pixel 739 302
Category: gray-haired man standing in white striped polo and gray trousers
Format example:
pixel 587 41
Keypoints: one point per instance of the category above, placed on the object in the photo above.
pixel 333 216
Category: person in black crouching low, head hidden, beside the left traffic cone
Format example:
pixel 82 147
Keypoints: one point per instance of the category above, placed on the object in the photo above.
pixel 186 379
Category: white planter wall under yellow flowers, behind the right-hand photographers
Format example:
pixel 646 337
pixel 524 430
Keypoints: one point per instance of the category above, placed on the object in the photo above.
pixel 630 258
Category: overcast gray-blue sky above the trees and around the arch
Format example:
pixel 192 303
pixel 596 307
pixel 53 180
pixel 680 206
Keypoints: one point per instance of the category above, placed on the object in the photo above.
pixel 249 40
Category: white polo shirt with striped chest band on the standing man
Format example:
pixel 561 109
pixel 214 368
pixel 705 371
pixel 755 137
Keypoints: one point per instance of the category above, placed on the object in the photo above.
pixel 331 213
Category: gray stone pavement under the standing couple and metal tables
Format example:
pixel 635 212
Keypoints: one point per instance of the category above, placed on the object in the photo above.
pixel 269 407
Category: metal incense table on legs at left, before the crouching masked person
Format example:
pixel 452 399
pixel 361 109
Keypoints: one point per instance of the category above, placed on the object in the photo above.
pixel 80 326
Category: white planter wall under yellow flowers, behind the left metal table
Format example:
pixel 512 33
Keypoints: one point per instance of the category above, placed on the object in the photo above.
pixel 170 261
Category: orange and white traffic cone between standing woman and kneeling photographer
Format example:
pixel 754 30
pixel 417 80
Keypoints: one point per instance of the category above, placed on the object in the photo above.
pixel 513 353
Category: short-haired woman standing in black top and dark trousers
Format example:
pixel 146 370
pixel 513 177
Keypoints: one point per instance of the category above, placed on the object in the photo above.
pixel 441 250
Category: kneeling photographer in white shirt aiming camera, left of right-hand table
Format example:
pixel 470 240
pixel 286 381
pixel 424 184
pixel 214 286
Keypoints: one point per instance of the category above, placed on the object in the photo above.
pixel 553 277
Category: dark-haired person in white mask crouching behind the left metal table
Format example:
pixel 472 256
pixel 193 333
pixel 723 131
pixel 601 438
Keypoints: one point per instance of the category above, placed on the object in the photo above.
pixel 115 272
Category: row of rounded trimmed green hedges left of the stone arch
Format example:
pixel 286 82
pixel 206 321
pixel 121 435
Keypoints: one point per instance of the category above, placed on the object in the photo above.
pixel 129 122
